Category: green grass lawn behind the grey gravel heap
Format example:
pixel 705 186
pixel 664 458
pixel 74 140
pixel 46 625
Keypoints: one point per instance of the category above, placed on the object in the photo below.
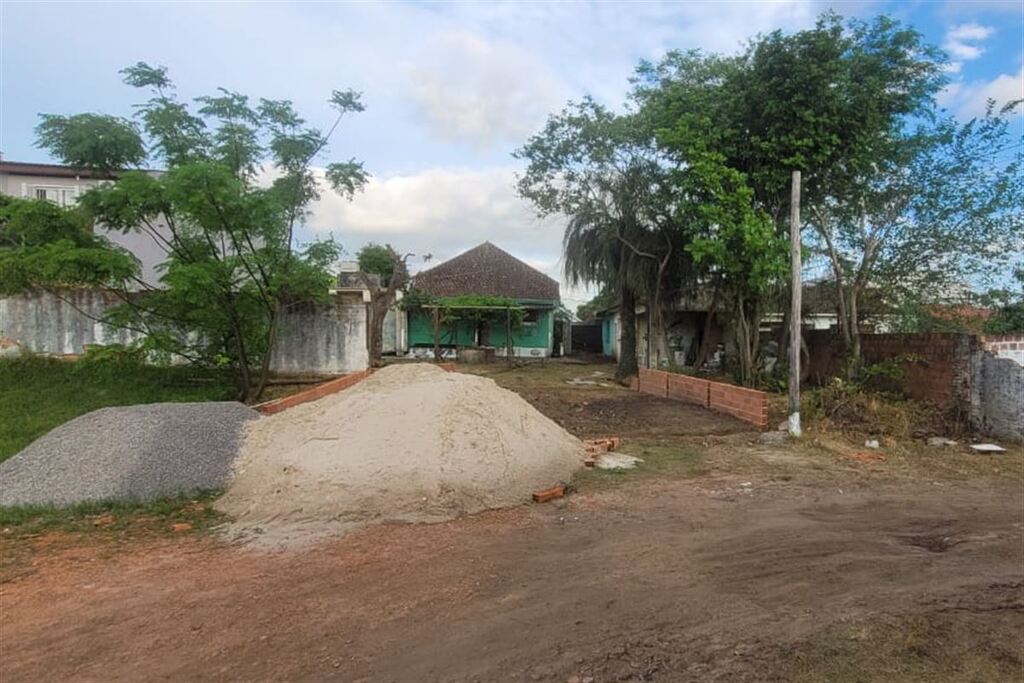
pixel 39 394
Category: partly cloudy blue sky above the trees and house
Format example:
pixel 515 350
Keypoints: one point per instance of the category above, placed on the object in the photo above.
pixel 451 90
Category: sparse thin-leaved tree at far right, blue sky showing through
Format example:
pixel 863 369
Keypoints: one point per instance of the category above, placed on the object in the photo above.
pixel 938 211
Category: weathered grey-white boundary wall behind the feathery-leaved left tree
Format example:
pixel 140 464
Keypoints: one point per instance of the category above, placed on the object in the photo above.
pixel 314 340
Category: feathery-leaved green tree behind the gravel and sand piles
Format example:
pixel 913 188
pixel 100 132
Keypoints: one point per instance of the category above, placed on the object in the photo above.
pixel 232 262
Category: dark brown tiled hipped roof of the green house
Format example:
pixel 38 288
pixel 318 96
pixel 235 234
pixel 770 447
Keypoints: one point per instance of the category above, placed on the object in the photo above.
pixel 487 271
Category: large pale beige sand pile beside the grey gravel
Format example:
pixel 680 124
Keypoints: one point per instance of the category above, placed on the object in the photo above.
pixel 410 444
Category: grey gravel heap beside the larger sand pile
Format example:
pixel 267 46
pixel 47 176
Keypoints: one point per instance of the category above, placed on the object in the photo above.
pixel 136 452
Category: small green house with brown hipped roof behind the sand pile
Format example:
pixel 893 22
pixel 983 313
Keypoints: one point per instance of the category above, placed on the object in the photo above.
pixel 488 271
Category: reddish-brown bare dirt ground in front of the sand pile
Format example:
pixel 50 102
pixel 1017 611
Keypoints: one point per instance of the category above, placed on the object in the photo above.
pixel 721 560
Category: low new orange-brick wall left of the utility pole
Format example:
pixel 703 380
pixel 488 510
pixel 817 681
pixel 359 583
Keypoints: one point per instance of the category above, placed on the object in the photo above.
pixel 747 405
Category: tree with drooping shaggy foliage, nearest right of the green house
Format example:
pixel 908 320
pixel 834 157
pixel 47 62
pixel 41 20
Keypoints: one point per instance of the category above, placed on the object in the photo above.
pixel 602 172
